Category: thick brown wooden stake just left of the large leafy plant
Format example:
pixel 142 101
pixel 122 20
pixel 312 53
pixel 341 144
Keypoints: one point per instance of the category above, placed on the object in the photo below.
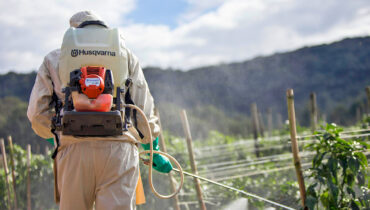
pixel 295 150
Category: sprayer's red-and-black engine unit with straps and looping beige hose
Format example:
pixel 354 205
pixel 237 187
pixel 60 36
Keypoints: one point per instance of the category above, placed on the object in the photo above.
pixel 91 113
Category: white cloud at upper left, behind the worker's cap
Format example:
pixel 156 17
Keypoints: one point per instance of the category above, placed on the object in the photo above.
pixel 30 29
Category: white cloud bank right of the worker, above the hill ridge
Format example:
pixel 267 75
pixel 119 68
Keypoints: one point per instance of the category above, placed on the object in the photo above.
pixel 238 30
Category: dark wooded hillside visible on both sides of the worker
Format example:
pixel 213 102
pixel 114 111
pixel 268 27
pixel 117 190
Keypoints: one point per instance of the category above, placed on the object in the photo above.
pixel 219 97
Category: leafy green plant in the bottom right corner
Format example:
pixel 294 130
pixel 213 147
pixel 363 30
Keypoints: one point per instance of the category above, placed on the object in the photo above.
pixel 338 172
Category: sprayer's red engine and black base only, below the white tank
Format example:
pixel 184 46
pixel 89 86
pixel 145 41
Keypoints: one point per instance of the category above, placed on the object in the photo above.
pixel 90 112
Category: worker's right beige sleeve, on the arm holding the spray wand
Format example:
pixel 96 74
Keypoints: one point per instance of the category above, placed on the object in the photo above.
pixel 143 99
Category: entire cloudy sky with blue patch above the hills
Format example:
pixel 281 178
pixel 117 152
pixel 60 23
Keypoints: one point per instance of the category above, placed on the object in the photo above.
pixel 182 34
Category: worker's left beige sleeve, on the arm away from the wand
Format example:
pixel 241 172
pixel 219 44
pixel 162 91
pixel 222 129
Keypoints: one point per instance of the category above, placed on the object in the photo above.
pixel 39 108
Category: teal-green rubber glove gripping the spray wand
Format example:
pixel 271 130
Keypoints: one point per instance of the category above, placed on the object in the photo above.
pixel 160 163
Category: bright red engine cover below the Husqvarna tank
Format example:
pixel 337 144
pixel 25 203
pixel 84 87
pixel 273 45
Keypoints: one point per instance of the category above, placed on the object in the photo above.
pixel 92 81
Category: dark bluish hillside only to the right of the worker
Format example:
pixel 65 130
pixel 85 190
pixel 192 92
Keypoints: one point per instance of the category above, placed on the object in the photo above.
pixel 337 72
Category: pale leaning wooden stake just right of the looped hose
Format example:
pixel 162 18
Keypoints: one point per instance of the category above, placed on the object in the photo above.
pixel 185 125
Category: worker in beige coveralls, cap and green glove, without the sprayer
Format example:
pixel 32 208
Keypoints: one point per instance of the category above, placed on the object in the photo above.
pixel 103 170
